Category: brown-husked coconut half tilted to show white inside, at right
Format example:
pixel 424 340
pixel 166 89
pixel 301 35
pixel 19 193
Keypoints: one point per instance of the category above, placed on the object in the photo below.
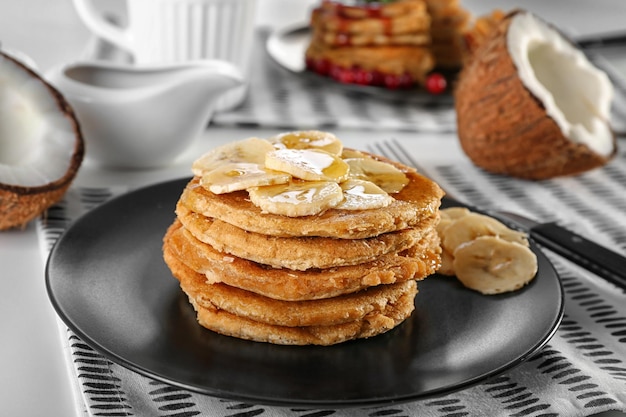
pixel 530 104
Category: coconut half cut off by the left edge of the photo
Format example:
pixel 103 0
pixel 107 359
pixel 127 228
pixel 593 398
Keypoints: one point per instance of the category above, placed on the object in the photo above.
pixel 41 145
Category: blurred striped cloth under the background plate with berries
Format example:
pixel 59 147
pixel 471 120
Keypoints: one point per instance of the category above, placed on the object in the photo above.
pixel 284 100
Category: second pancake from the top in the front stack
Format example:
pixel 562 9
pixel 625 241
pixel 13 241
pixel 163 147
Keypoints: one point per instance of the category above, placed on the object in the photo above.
pixel 299 253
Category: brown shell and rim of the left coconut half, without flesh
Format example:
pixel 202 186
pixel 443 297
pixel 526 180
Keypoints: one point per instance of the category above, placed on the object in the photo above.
pixel 20 204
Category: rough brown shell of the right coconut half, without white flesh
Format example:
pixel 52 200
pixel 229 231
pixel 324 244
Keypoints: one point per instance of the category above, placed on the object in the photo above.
pixel 503 128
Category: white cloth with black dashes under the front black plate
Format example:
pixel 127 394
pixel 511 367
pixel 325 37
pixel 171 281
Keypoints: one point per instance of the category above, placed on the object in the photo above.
pixel 582 370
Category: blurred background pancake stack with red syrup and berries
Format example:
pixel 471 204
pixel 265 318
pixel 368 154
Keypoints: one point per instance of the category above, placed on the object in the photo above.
pixel 380 39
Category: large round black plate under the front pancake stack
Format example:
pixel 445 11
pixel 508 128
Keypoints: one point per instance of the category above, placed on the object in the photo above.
pixel 108 282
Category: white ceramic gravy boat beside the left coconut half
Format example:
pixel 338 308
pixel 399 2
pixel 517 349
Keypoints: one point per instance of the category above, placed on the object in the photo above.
pixel 143 116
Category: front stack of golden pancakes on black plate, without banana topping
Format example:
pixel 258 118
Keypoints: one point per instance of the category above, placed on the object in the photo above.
pixel 321 279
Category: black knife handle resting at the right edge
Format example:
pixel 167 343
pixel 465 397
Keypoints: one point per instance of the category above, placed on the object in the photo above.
pixel 597 259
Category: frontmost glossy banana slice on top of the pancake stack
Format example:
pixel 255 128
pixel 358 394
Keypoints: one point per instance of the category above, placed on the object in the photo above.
pixel 297 198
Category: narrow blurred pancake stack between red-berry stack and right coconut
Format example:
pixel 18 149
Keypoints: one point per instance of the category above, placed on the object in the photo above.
pixel 449 22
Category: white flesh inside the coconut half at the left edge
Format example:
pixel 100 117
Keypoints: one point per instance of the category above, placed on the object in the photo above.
pixel 36 140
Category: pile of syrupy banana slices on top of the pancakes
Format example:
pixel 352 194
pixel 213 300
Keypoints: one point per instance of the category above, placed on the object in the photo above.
pixel 300 173
